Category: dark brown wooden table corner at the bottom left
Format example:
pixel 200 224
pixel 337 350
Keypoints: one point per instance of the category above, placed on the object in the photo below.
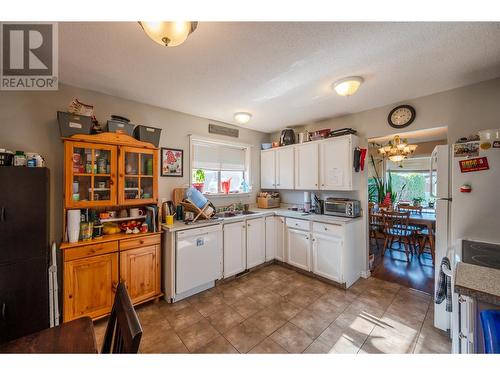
pixel 76 336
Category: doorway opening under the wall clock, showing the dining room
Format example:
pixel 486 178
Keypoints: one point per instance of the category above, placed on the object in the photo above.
pixel 401 210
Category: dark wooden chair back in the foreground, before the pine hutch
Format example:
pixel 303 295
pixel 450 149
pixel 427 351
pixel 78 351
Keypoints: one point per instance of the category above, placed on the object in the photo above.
pixel 124 331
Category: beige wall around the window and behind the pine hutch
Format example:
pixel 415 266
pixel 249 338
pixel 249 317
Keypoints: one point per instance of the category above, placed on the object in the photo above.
pixel 28 122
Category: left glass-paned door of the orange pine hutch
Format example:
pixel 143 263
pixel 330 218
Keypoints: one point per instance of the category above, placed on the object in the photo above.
pixel 91 175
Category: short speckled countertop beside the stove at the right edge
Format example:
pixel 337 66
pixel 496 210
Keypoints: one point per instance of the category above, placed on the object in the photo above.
pixel 480 283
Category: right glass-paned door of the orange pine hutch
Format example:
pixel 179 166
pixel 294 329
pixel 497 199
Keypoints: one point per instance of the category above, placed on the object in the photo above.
pixel 137 175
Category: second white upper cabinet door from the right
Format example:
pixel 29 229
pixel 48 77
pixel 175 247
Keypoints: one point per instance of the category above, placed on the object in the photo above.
pixel 306 166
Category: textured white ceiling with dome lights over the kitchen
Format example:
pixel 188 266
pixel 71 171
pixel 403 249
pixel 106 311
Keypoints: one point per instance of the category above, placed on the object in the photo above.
pixel 280 72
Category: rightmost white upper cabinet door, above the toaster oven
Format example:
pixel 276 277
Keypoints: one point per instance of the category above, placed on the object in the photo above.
pixel 336 170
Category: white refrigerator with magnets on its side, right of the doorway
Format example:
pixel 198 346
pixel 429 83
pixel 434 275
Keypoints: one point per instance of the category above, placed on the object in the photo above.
pixel 473 215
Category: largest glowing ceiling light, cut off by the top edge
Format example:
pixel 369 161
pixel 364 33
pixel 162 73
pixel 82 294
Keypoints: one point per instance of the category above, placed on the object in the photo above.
pixel 168 34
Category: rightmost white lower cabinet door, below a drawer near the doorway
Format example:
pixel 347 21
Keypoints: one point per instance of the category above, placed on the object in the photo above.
pixel 327 256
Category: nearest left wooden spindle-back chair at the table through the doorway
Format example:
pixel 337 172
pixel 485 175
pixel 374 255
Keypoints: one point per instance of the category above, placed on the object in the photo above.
pixel 396 229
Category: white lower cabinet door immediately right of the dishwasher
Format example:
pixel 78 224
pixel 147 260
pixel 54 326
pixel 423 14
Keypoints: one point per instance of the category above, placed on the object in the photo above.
pixel 235 253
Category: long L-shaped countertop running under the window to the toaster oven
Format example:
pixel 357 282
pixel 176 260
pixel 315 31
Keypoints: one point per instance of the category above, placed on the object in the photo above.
pixel 260 212
